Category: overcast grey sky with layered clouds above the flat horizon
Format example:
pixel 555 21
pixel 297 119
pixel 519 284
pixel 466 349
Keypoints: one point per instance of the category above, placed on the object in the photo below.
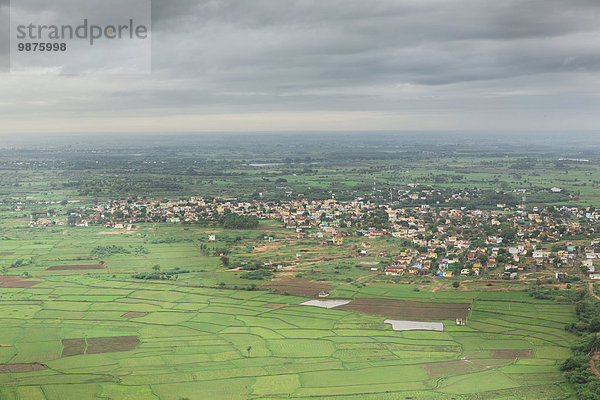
pixel 332 65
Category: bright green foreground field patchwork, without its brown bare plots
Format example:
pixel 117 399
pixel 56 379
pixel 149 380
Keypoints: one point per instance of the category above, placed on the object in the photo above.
pixel 194 341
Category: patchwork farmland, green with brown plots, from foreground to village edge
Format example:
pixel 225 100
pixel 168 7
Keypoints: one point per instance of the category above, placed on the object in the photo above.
pixel 74 324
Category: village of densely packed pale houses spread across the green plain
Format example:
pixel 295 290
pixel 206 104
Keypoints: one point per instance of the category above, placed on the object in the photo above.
pixel 445 242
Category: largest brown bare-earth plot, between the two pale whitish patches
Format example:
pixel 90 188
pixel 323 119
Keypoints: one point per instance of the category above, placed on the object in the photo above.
pixel 407 309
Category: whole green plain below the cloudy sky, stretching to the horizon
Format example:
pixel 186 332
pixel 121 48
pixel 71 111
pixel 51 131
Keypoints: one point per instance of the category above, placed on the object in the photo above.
pixel 211 306
